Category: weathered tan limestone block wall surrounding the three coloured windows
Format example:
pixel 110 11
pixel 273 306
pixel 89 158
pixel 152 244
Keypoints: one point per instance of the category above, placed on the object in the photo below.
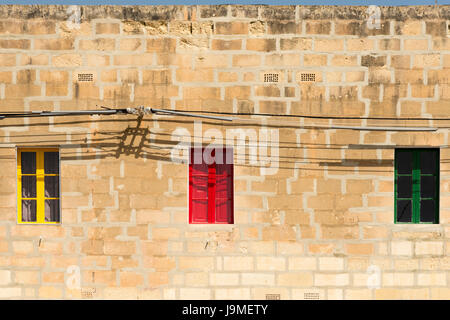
pixel 321 226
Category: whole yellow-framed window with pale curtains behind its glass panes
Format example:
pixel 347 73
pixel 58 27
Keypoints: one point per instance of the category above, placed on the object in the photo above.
pixel 38 199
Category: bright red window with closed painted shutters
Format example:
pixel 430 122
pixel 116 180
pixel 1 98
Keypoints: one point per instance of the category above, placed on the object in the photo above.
pixel 211 186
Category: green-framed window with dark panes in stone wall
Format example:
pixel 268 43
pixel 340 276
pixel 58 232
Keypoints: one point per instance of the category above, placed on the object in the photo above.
pixel 416 186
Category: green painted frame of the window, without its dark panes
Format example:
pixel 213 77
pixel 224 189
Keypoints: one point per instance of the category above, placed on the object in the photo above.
pixel 415 192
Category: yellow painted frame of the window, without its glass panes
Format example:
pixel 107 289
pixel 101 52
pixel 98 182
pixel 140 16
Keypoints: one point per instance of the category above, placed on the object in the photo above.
pixel 40 195
